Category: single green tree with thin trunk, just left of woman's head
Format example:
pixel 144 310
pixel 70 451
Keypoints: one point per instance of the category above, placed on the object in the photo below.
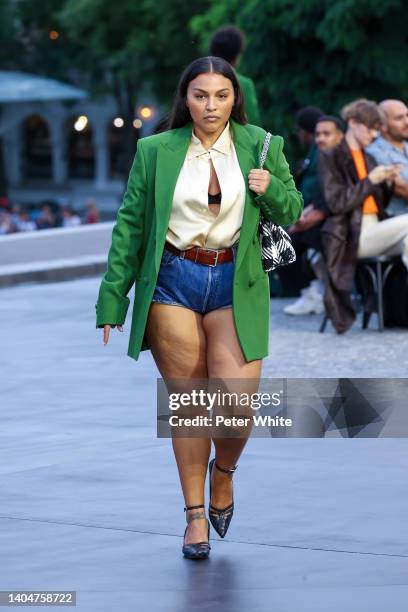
pixel 133 47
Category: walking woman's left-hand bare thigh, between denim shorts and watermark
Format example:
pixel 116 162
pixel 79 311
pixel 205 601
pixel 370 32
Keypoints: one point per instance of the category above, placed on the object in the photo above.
pixel 177 341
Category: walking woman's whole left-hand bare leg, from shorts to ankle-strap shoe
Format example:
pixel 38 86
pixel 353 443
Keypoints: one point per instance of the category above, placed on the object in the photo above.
pixel 178 343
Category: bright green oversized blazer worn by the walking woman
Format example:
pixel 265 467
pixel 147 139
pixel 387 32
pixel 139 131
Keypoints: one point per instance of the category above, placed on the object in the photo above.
pixel 139 234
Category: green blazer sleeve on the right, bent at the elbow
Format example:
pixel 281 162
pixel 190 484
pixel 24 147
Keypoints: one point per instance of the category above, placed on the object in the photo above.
pixel 281 203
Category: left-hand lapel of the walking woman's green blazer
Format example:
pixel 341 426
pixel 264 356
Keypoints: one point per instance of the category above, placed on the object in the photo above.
pixel 170 159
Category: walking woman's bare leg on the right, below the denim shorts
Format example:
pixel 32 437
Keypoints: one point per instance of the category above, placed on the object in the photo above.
pixel 226 360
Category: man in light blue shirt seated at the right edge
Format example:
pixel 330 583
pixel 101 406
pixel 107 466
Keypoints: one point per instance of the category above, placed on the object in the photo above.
pixel 391 147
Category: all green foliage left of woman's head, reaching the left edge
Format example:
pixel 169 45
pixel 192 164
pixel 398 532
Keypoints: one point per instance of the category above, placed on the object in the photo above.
pixel 125 49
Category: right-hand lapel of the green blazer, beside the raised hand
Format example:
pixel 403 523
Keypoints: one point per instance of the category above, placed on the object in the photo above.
pixel 246 158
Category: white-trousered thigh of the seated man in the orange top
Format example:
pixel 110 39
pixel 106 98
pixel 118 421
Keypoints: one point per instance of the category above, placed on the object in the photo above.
pixel 384 237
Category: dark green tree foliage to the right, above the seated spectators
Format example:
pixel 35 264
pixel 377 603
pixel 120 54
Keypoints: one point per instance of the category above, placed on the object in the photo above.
pixel 316 52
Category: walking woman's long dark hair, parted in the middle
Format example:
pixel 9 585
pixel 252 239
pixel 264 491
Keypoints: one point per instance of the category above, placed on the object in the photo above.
pixel 180 115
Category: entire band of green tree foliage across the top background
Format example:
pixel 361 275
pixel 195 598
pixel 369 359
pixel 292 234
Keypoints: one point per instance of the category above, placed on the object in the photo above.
pixel 322 52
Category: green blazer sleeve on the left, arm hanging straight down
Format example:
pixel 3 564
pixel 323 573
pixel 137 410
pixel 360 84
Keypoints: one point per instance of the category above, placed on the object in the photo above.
pixel 123 257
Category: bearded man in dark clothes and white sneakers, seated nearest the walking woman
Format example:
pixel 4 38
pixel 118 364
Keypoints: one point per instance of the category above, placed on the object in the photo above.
pixel 301 276
